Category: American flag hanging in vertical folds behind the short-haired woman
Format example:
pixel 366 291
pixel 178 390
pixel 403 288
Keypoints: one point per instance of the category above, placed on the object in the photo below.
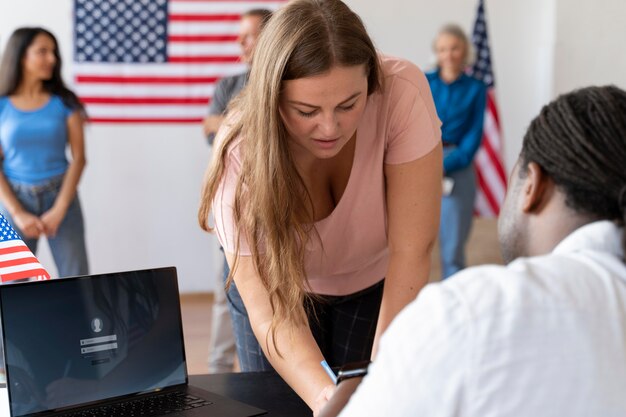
pixel 488 161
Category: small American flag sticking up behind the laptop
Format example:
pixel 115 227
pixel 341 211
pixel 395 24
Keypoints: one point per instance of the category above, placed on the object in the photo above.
pixel 16 260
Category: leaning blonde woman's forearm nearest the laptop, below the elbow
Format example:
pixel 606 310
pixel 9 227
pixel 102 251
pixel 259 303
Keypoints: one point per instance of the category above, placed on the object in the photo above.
pixel 299 362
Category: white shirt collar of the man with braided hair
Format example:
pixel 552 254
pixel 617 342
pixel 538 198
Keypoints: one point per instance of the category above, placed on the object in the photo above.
pixel 602 236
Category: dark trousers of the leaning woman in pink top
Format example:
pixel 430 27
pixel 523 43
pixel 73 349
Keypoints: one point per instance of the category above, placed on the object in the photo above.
pixel 343 326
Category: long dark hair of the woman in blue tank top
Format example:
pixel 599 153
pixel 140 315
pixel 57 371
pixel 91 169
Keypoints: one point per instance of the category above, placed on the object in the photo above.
pixel 12 71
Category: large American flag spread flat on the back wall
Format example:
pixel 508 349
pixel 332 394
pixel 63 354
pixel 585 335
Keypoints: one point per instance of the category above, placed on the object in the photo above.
pixel 146 61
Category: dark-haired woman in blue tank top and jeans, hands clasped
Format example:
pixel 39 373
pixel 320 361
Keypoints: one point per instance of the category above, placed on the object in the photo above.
pixel 39 118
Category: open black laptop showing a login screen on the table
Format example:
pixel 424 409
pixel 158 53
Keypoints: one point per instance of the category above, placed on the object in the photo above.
pixel 108 344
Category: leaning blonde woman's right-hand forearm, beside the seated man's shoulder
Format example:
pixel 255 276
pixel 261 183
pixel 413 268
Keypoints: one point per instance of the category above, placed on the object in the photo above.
pixel 407 275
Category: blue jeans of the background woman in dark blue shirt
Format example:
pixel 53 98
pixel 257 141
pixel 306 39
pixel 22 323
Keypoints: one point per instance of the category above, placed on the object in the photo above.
pixel 457 210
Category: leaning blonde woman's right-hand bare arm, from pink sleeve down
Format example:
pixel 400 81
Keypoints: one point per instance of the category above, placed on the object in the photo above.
pixel 413 208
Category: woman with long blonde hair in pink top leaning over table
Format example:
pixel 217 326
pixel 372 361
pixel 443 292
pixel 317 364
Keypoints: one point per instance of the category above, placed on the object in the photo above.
pixel 325 189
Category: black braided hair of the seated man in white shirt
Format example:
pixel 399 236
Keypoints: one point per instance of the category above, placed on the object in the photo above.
pixel 579 140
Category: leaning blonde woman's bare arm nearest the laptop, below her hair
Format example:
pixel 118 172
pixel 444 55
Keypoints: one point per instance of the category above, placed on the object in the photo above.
pixel 299 365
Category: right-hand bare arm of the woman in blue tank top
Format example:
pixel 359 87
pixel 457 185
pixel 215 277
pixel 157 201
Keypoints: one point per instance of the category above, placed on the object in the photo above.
pixel 53 217
